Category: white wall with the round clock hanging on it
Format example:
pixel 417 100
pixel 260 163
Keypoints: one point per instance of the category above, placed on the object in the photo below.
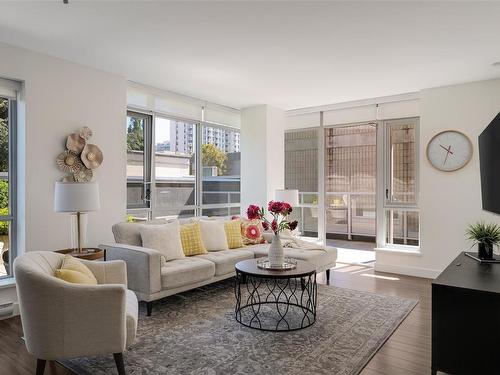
pixel 448 201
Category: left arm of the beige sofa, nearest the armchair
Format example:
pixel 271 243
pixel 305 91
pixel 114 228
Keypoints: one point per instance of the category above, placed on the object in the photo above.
pixel 143 266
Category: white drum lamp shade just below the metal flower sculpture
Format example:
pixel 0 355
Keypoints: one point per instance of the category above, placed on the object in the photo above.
pixel 76 197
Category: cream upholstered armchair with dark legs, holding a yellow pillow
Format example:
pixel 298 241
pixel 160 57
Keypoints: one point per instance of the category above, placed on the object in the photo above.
pixel 63 320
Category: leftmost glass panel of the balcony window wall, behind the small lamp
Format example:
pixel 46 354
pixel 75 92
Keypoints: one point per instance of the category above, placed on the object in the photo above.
pixel 301 172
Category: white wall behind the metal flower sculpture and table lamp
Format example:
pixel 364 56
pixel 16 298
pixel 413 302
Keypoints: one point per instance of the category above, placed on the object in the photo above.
pixel 60 97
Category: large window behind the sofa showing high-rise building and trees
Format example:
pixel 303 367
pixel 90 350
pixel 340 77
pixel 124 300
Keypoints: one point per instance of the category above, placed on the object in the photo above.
pixel 180 168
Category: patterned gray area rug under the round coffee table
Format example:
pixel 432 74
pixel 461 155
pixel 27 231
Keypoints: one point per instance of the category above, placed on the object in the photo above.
pixel 196 333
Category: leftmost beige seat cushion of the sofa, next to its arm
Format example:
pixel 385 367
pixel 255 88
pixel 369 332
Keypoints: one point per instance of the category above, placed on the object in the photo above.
pixel 190 270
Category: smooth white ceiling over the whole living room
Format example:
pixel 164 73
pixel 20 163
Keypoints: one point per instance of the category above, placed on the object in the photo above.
pixel 286 54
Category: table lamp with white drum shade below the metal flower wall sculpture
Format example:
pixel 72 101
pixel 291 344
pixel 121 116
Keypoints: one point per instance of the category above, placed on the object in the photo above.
pixel 77 198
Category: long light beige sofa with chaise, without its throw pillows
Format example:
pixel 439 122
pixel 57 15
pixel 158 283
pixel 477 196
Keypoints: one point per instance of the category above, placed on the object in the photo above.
pixel 153 278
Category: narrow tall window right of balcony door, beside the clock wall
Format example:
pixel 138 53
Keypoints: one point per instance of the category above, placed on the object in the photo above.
pixel 401 214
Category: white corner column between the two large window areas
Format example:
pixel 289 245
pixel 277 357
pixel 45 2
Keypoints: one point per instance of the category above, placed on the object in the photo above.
pixel 262 154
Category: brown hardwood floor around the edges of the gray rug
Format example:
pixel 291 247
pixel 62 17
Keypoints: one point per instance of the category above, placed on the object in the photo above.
pixel 407 352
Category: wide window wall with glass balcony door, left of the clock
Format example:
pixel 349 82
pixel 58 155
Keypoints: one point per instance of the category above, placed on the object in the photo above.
pixel 362 162
